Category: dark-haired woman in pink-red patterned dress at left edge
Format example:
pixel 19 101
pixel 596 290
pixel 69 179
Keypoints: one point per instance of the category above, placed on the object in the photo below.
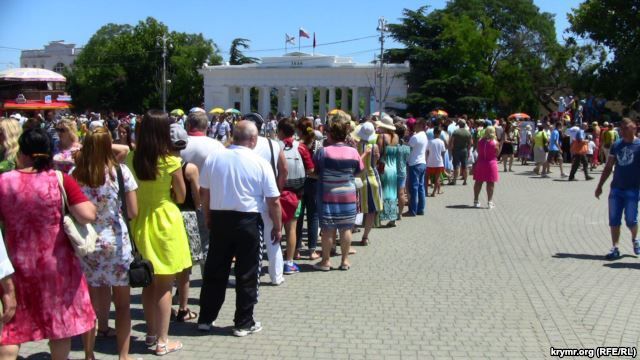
pixel 51 291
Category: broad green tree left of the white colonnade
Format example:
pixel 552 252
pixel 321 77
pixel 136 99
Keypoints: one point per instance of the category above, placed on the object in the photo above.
pixel 120 68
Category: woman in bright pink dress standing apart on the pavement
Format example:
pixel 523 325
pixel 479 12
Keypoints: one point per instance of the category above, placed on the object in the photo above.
pixel 486 166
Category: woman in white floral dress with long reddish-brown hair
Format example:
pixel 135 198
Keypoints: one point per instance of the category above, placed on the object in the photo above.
pixel 106 269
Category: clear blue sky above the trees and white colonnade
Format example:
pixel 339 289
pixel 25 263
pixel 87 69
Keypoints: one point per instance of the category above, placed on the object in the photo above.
pixel 263 22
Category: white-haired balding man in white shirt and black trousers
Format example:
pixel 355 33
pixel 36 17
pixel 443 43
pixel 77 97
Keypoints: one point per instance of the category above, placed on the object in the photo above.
pixel 236 226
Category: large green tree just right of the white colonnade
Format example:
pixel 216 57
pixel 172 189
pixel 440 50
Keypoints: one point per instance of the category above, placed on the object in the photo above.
pixel 479 56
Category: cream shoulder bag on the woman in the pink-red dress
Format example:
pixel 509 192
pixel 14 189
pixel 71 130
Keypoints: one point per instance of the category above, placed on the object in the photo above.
pixel 83 237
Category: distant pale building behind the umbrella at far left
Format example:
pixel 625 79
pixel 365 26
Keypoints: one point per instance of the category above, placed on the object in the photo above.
pixel 55 56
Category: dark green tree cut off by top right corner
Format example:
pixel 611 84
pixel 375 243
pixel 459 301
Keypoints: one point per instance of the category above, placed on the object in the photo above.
pixel 614 24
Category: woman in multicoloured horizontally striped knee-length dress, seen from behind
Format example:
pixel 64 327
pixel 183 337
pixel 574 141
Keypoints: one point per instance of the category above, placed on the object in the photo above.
pixel 336 166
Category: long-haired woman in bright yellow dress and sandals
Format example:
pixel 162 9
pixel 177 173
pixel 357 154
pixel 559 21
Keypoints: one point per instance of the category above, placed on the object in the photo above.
pixel 159 231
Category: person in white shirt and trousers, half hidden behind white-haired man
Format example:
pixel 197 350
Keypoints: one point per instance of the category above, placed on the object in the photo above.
pixel 269 150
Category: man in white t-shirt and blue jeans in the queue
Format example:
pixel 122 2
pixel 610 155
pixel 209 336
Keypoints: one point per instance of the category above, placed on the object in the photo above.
pixel 417 165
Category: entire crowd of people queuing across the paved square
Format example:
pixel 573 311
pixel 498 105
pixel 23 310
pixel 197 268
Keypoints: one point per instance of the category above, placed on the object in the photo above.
pixel 220 192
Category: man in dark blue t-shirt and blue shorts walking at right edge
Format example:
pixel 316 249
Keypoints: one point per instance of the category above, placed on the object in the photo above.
pixel 625 186
